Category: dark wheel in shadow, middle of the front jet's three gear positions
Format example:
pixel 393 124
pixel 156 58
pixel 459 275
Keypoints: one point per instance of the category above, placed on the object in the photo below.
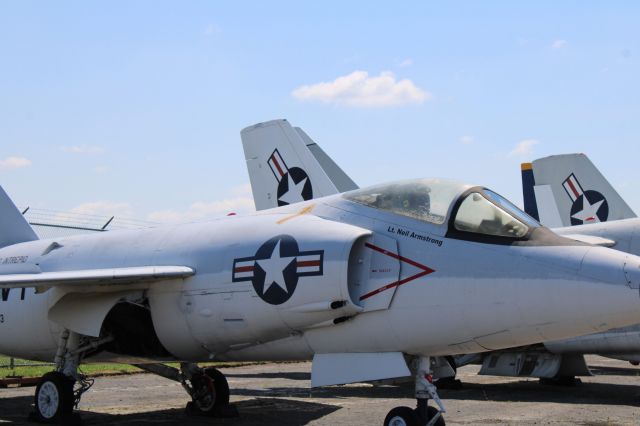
pixel 211 396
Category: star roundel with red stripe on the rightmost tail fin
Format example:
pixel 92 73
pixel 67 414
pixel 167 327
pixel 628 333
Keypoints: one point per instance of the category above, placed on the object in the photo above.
pixel 588 206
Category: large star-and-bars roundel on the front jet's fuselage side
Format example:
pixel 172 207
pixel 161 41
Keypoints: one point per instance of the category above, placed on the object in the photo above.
pixel 276 268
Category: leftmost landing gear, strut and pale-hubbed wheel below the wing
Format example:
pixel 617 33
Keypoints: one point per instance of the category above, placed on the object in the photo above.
pixel 59 391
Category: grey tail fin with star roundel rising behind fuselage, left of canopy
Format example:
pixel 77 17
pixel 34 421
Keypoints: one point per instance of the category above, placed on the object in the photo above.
pixel 285 166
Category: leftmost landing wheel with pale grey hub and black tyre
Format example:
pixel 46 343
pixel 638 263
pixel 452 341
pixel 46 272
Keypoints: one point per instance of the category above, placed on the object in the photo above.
pixel 54 398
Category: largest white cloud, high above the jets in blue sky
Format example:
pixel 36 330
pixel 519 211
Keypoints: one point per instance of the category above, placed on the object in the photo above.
pixel 359 90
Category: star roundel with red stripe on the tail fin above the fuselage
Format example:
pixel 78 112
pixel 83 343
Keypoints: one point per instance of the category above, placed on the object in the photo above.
pixel 294 184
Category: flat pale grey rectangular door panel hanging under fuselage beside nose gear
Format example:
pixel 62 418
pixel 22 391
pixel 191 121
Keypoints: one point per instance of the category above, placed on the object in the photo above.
pixel 342 368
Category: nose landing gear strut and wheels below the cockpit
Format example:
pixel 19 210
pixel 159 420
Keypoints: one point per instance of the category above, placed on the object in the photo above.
pixel 423 414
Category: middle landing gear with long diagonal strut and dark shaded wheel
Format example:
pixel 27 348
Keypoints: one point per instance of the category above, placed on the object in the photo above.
pixel 208 388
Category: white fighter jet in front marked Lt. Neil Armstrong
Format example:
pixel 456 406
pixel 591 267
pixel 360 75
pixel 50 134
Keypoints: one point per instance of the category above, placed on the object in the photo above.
pixel 372 284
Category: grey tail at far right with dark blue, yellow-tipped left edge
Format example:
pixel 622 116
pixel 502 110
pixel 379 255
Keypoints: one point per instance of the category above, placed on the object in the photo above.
pixel 567 190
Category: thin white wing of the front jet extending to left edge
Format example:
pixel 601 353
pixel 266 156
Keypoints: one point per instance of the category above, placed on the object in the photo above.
pixel 94 277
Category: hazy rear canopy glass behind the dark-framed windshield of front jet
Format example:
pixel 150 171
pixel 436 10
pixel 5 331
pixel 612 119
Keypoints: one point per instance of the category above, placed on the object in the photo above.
pixel 428 200
